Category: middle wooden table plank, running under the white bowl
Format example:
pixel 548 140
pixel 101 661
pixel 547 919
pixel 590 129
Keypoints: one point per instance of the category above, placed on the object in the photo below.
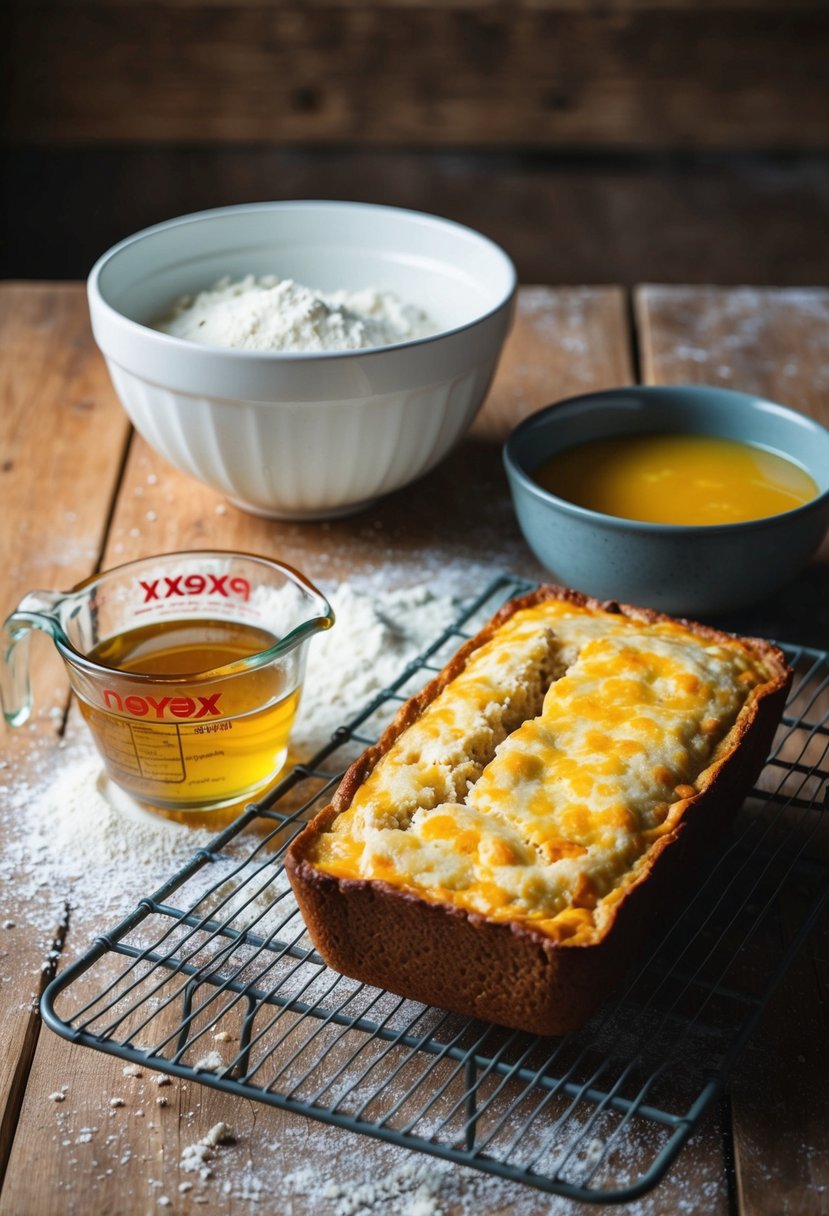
pixel 569 340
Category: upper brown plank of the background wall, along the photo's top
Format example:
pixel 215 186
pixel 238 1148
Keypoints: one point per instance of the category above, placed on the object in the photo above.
pixel 467 75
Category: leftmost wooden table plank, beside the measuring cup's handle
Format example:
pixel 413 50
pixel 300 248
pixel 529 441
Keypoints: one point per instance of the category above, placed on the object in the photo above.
pixel 63 444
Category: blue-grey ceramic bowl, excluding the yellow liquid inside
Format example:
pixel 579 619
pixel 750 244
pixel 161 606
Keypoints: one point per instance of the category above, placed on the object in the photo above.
pixel 690 571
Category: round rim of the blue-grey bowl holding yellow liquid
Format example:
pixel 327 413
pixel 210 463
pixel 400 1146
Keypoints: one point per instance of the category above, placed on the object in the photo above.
pixel 518 475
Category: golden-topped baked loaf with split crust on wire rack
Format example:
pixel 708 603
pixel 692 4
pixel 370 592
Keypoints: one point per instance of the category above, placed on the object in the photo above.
pixel 538 808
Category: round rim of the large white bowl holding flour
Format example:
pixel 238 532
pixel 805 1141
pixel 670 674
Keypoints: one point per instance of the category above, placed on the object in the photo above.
pixel 99 302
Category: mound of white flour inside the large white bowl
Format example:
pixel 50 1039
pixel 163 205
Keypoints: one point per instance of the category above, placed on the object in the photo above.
pixel 280 316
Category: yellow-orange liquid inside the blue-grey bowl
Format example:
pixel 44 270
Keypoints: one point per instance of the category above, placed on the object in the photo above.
pixel 676 480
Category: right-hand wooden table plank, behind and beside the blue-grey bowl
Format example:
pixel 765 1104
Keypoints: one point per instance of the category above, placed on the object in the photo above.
pixel 775 344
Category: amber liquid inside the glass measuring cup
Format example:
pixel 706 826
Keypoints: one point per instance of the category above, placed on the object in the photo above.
pixel 189 745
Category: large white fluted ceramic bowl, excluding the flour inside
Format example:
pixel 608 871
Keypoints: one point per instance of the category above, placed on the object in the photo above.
pixel 304 436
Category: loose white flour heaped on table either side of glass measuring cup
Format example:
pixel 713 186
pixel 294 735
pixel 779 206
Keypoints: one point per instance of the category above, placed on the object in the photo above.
pixel 75 840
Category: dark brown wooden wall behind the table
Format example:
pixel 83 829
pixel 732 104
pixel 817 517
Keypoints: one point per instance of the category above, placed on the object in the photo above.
pixel 599 140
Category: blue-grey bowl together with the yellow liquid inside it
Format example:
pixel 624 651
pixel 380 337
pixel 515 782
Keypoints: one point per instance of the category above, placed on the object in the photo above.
pixel 672 497
